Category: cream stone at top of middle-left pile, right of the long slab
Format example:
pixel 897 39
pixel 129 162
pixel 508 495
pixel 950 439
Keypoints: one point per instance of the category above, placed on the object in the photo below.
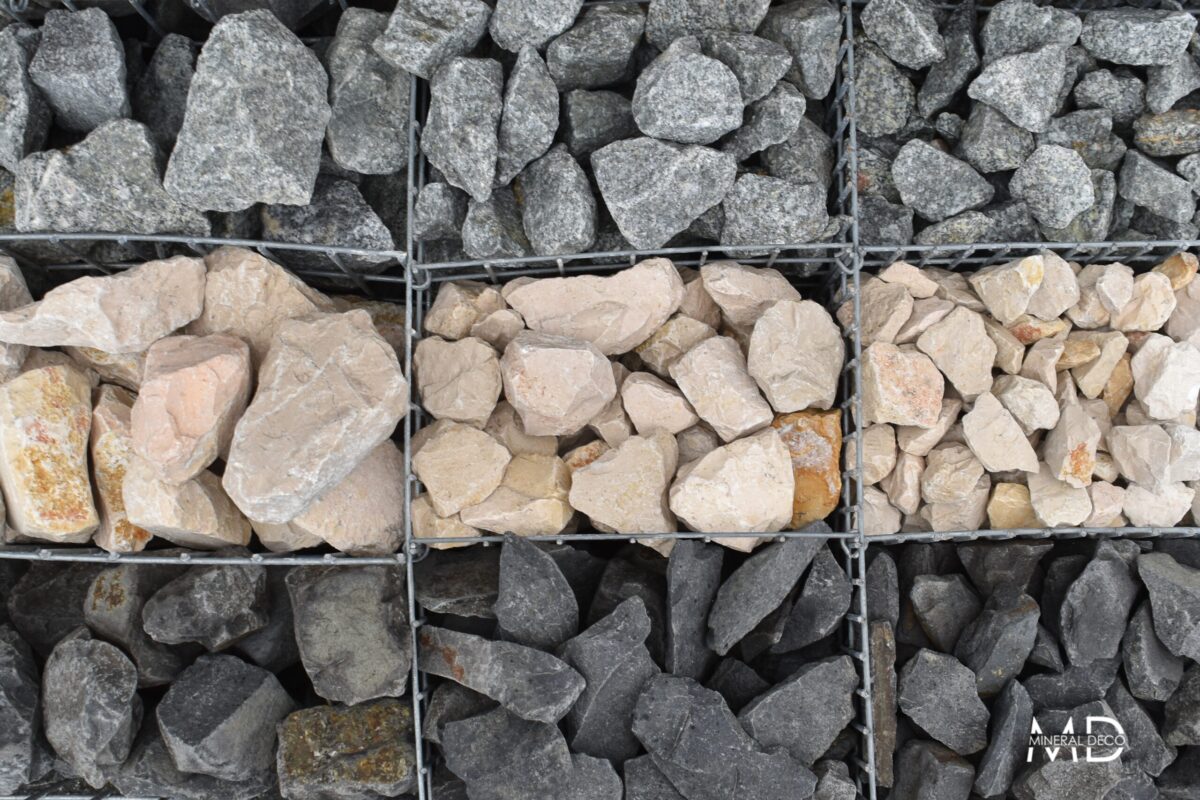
pixel 249 297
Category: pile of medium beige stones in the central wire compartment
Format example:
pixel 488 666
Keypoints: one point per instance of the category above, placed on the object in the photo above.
pixel 646 401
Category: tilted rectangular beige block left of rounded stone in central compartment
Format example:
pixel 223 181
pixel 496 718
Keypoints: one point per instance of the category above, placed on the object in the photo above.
pixel 715 380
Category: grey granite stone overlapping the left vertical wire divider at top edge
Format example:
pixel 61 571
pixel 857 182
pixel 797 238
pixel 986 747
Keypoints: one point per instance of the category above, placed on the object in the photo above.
pixel 423 35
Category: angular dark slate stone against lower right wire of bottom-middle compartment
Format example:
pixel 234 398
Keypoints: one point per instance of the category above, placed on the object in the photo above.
pixel 806 713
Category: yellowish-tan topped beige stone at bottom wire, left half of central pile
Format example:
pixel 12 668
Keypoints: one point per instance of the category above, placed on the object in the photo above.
pixel 531 500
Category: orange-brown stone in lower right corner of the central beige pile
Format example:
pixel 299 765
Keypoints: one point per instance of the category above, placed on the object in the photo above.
pixel 814 442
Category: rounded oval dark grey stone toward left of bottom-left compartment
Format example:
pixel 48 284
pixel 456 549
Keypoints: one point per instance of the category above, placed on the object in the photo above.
pixel 91 707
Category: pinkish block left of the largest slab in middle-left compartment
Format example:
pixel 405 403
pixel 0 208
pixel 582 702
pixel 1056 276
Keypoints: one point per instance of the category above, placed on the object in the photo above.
pixel 195 390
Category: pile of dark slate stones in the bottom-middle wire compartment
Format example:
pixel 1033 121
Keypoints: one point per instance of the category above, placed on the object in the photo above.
pixel 700 677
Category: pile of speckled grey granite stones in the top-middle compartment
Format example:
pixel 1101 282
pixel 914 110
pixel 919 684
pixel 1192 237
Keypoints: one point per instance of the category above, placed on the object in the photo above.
pixel 559 129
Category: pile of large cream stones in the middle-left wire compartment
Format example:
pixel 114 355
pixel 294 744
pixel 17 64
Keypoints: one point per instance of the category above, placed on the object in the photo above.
pixel 201 401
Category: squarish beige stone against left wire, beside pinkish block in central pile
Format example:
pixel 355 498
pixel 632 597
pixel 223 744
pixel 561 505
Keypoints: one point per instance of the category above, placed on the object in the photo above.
pixel 458 381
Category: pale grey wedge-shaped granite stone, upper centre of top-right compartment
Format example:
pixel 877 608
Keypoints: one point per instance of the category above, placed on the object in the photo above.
pixel 1024 87
